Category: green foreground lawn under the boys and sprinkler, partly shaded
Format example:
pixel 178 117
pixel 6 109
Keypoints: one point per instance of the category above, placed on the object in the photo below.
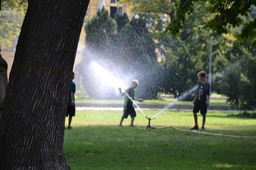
pixel 97 143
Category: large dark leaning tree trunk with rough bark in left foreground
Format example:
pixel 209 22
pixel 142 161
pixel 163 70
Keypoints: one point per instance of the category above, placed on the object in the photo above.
pixel 32 122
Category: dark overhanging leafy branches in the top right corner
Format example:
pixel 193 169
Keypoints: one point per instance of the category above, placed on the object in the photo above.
pixel 226 13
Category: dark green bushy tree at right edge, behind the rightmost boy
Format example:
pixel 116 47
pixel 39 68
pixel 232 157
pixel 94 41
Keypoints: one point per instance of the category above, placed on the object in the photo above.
pixel 237 80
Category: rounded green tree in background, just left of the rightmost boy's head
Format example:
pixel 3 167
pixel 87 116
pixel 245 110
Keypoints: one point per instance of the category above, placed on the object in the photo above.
pixel 176 66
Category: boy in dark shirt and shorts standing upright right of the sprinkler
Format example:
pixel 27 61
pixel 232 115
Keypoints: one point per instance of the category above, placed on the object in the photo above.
pixel 201 101
